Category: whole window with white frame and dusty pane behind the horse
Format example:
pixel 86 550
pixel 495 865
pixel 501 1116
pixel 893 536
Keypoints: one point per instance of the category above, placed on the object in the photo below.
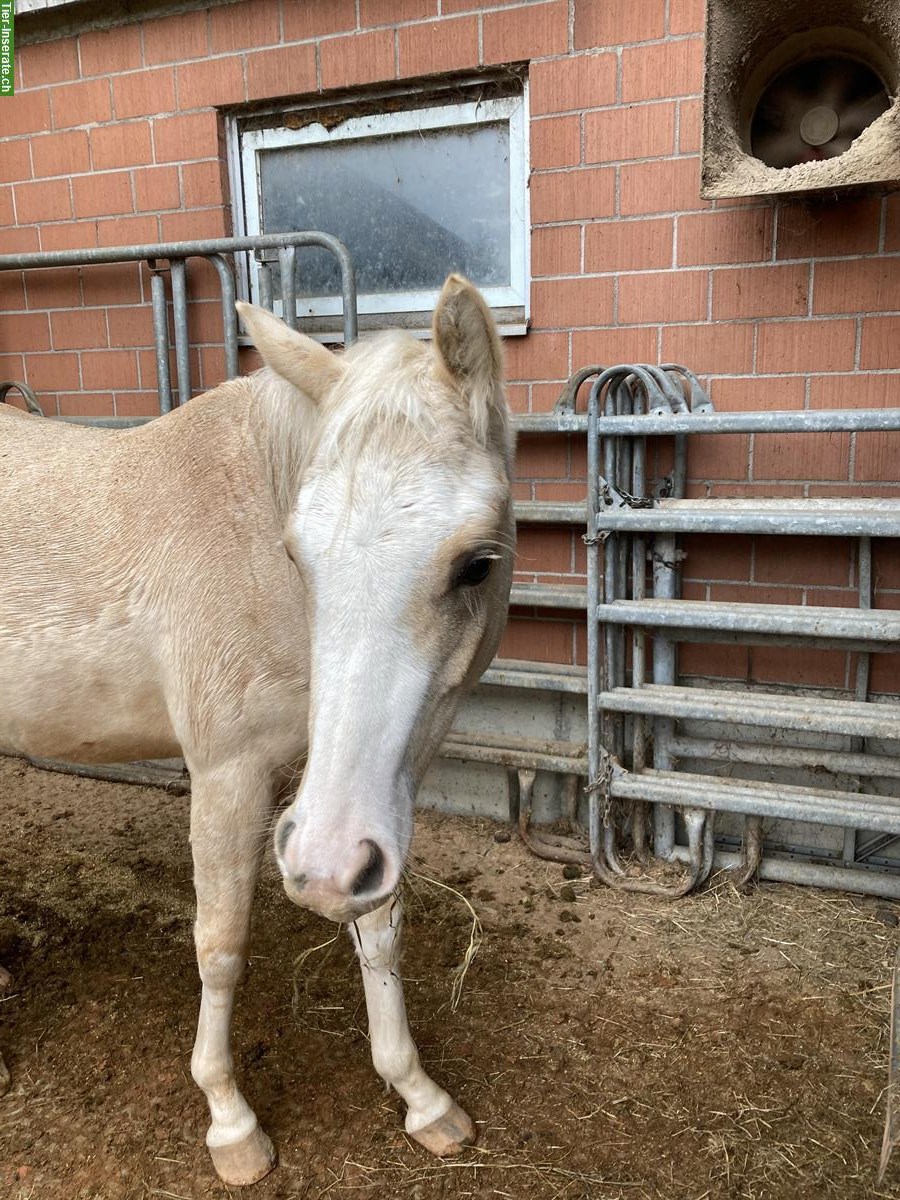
pixel 415 194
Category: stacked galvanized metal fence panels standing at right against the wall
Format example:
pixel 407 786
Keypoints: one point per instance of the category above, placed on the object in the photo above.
pixel 644 723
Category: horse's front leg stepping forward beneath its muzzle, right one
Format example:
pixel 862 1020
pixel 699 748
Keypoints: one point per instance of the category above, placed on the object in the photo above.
pixel 434 1118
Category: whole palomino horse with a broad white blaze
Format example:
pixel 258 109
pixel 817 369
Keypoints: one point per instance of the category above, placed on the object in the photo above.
pixel 314 561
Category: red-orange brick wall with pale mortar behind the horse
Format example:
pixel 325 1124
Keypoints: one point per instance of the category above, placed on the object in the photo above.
pixel 116 137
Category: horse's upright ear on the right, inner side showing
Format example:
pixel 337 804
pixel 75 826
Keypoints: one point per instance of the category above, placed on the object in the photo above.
pixel 470 349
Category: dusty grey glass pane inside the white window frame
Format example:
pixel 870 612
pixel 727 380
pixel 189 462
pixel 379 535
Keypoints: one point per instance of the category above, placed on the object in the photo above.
pixel 411 208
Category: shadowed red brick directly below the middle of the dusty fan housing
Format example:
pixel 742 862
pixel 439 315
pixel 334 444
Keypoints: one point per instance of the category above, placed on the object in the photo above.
pixel 819 231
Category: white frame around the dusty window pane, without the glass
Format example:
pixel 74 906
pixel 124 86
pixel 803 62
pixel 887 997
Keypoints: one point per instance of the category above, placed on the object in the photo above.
pixel 513 110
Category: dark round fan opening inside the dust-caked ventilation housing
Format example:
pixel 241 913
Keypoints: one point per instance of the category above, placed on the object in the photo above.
pixel 815 110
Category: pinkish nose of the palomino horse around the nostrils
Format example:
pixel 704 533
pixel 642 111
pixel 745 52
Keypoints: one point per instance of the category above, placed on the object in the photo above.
pixel 361 884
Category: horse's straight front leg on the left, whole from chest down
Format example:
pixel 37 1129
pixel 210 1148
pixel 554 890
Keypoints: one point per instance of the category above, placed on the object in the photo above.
pixel 230 812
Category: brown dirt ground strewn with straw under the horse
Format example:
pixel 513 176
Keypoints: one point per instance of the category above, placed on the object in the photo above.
pixel 609 1047
